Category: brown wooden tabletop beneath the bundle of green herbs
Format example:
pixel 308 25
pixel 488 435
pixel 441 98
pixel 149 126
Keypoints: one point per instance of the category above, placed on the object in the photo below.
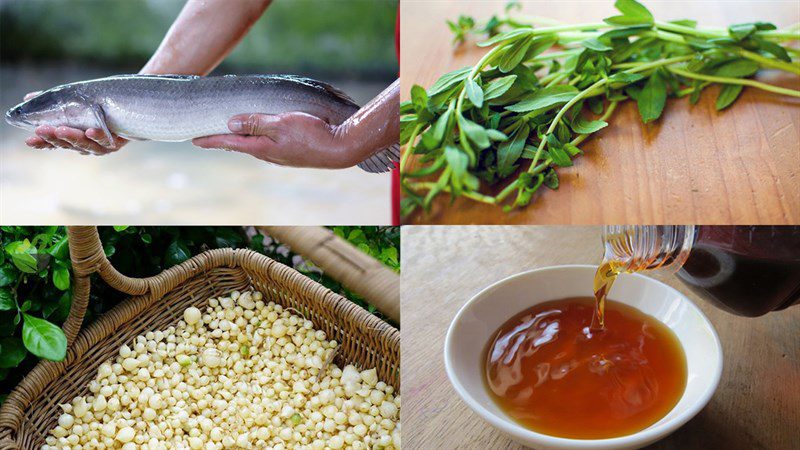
pixel 695 165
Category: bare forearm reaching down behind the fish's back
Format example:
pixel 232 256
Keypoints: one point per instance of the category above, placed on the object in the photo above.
pixel 204 33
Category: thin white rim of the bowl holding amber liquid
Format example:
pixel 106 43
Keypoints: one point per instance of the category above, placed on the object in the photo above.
pixel 649 434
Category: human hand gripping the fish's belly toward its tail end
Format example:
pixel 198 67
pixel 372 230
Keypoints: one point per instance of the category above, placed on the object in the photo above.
pixel 291 139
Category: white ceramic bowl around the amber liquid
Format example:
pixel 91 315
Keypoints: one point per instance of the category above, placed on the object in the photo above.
pixel 483 314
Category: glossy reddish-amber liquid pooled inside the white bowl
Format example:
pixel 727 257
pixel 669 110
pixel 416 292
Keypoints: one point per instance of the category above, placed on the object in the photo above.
pixel 552 374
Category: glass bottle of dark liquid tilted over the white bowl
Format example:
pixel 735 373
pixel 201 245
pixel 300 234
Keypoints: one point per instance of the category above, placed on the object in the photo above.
pixel 746 270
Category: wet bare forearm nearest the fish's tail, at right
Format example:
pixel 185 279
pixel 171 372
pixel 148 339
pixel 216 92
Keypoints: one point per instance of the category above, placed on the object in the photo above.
pixel 373 127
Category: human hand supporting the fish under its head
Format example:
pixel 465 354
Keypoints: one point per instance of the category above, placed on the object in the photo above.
pixel 90 142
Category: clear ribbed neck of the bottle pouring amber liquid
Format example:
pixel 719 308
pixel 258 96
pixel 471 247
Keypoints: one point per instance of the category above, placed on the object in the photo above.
pixel 648 247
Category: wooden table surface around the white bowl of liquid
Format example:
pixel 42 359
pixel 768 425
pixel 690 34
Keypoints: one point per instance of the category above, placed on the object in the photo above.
pixel 757 403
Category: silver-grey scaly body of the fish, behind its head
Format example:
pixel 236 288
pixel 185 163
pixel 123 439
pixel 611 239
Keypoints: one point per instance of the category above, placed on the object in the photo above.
pixel 167 109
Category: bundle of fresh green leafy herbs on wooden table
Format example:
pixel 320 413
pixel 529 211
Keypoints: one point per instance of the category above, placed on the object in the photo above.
pixel 521 105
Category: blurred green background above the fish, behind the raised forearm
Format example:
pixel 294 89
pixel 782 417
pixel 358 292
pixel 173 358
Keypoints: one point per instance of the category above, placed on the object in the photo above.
pixel 330 38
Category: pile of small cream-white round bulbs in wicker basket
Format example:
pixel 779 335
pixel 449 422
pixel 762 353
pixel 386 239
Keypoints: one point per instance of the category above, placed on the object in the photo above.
pixel 244 374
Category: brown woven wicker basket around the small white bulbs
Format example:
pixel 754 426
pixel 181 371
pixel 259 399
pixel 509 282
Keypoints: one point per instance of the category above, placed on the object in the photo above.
pixel 31 410
